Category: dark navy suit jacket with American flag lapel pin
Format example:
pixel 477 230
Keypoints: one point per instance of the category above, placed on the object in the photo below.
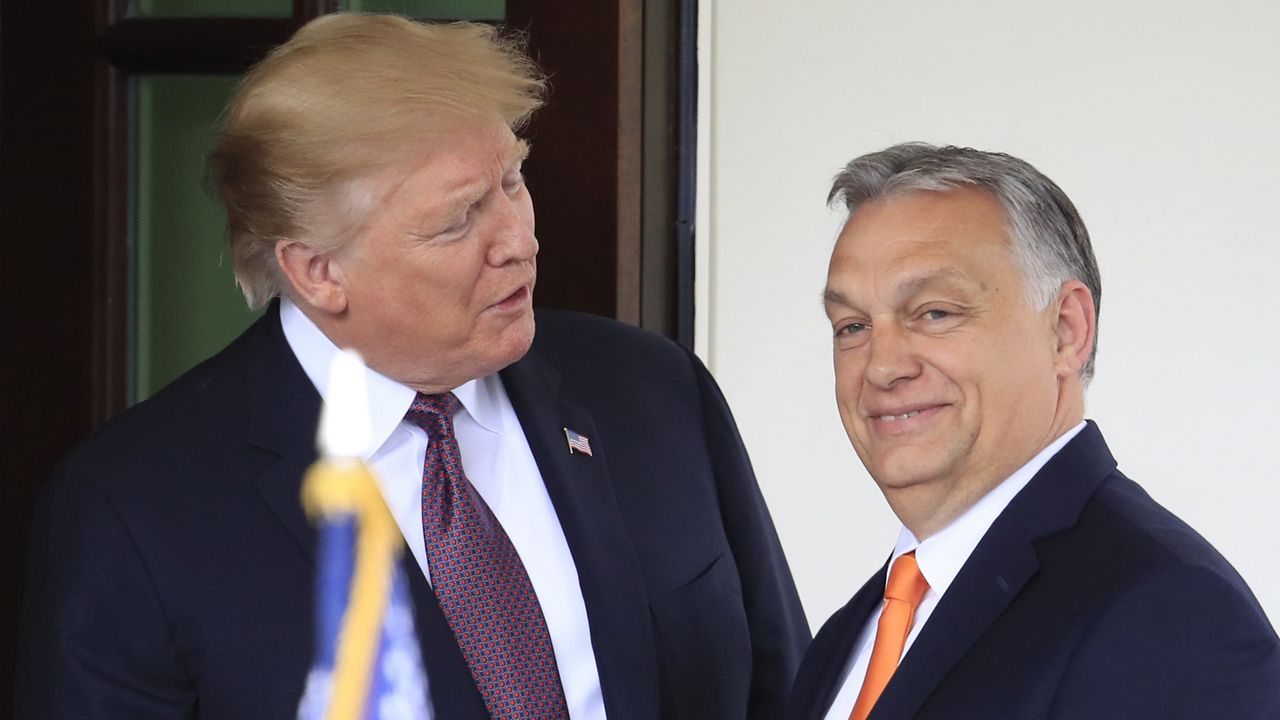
pixel 172 564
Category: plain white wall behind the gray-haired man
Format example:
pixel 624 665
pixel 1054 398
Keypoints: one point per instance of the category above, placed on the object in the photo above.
pixel 1160 120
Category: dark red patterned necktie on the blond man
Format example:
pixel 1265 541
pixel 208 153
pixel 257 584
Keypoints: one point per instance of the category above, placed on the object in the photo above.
pixel 481 582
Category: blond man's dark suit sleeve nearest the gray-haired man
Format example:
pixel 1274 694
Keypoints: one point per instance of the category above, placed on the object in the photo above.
pixel 775 617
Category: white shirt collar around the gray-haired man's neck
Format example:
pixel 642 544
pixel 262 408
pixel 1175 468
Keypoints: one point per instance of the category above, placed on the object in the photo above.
pixel 943 554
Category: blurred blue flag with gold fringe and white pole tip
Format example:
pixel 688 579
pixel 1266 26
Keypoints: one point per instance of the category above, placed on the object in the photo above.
pixel 368 664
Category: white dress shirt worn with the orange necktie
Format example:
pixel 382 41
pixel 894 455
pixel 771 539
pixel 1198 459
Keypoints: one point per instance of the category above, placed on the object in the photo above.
pixel 940 559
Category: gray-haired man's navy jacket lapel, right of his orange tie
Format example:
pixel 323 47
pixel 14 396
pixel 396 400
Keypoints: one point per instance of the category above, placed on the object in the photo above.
pixel 998 571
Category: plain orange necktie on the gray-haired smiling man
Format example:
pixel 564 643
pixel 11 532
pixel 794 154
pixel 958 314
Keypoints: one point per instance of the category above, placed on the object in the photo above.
pixel 903 594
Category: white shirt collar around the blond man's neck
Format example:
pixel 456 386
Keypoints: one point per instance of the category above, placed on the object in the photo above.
pixel 388 400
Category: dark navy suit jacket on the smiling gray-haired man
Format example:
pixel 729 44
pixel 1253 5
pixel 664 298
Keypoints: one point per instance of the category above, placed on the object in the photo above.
pixel 1085 600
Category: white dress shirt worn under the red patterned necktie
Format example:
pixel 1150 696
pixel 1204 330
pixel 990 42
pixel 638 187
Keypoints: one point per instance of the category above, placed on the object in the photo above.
pixel 499 463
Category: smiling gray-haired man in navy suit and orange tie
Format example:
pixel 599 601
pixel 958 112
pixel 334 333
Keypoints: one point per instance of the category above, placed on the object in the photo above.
pixel 1031 578
